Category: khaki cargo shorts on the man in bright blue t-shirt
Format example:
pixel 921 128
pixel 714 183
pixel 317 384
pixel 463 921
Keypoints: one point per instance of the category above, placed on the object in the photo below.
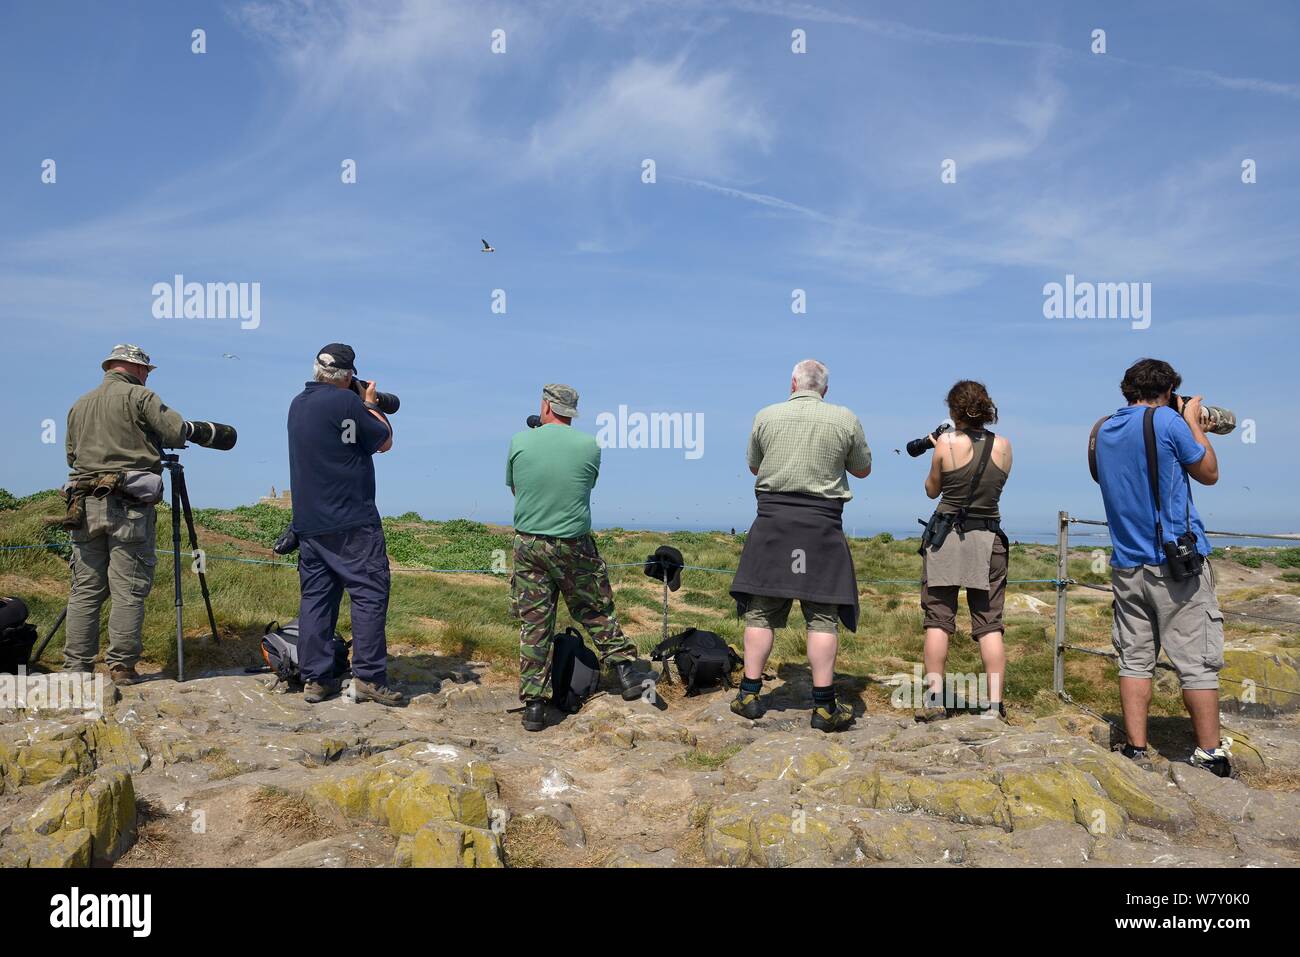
pixel 1154 612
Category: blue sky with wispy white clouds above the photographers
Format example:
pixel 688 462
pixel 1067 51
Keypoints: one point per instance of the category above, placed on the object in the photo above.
pixel 774 172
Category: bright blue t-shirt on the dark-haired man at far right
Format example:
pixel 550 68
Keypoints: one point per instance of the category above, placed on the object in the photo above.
pixel 1126 490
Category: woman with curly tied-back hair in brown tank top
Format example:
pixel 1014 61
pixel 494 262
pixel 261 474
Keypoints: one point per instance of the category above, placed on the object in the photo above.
pixel 965 547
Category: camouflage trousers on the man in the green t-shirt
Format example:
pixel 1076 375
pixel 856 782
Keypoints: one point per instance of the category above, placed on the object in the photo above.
pixel 544 570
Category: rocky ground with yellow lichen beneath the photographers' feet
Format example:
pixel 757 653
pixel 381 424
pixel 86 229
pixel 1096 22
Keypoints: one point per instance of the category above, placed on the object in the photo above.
pixel 224 772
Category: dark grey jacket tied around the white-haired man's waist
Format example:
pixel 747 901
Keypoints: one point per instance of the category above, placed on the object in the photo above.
pixel 796 549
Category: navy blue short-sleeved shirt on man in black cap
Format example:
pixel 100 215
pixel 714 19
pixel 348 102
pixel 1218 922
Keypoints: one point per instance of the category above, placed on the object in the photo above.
pixel 332 438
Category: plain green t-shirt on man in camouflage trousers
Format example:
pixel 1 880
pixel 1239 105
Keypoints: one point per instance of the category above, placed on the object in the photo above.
pixel 552 470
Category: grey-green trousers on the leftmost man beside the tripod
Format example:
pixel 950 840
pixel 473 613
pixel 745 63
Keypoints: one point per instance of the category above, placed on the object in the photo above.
pixel 114 557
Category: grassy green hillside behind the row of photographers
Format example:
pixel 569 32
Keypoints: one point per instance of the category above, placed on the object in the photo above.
pixel 469 614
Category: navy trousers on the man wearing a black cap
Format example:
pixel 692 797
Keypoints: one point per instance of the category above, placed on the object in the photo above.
pixel 328 565
